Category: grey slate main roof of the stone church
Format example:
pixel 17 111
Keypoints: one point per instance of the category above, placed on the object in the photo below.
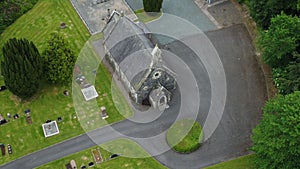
pixel 123 38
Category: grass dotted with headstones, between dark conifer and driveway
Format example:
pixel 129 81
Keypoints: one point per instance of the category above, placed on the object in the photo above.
pixel 25 138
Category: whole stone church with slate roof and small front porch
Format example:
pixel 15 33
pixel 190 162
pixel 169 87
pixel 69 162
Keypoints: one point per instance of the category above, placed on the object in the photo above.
pixel 123 38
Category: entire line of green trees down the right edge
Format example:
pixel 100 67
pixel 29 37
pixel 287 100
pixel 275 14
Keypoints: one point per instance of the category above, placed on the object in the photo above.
pixel 276 139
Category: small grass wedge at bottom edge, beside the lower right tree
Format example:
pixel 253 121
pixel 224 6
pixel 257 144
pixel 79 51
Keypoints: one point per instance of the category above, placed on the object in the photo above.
pixel 245 162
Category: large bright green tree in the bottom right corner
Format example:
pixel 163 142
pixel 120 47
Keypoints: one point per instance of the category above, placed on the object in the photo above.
pixel 276 139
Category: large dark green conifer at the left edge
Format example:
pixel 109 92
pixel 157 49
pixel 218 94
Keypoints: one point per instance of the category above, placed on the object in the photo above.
pixel 21 67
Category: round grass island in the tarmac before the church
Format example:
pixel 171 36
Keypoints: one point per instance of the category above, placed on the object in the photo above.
pixel 183 140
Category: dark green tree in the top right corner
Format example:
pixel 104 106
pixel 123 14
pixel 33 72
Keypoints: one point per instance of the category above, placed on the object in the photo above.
pixel 263 10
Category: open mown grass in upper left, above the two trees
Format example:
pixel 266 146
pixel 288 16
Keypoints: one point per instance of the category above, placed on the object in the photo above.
pixel 44 18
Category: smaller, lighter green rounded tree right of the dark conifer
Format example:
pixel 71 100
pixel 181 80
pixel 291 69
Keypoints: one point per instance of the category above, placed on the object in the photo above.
pixel 59 60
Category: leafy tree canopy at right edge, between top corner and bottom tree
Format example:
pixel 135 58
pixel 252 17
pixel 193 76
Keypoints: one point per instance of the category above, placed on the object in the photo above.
pixel 281 50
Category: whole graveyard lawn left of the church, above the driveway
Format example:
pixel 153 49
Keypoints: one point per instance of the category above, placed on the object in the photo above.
pixel 50 102
